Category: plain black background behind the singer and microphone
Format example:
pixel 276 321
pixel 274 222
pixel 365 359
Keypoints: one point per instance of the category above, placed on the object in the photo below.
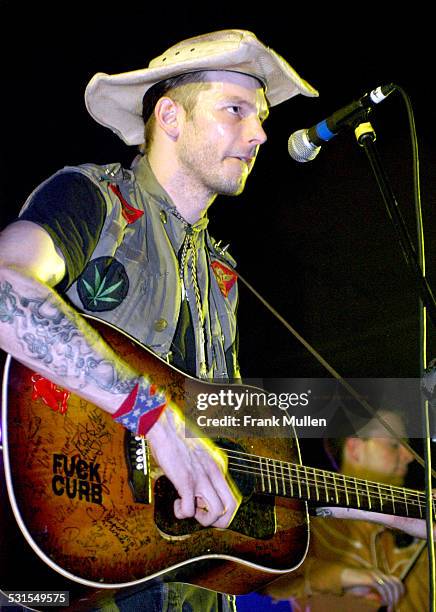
pixel 313 238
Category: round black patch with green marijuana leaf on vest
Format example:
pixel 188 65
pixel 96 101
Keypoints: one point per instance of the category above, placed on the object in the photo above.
pixel 103 284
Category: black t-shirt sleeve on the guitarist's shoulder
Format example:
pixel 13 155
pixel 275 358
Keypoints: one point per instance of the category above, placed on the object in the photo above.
pixel 72 210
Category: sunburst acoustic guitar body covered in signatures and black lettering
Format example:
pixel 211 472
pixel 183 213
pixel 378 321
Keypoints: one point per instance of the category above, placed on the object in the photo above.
pixel 87 511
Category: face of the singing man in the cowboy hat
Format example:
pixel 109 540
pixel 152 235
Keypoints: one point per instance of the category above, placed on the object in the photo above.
pixel 218 142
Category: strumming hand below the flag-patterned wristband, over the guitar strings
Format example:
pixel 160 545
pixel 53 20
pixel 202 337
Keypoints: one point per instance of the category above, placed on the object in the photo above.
pixel 197 469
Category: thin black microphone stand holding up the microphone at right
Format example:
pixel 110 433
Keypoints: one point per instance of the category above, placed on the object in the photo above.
pixel 365 136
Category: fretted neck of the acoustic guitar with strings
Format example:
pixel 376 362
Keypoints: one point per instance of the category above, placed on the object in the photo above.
pixel 283 479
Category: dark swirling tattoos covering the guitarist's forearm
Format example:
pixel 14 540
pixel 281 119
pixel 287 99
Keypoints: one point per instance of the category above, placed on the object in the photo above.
pixel 57 339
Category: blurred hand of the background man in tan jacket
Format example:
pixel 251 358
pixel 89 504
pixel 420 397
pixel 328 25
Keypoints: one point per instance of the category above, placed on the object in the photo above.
pixel 373 585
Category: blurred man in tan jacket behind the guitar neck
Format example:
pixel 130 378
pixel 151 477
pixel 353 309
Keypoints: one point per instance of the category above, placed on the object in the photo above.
pixel 355 565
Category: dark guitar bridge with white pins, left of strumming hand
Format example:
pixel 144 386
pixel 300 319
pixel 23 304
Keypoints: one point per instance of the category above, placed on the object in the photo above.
pixel 138 463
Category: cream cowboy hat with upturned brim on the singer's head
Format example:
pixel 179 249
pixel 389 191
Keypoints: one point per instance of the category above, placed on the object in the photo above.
pixel 115 101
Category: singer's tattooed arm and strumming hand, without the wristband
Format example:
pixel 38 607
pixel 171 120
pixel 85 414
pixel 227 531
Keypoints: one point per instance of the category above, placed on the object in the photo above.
pixel 39 329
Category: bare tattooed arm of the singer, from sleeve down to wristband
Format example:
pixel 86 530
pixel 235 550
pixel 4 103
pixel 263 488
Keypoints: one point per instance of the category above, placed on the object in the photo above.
pixel 39 329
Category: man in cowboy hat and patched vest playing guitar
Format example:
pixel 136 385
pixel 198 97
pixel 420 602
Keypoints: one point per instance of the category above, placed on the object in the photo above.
pixel 131 247
